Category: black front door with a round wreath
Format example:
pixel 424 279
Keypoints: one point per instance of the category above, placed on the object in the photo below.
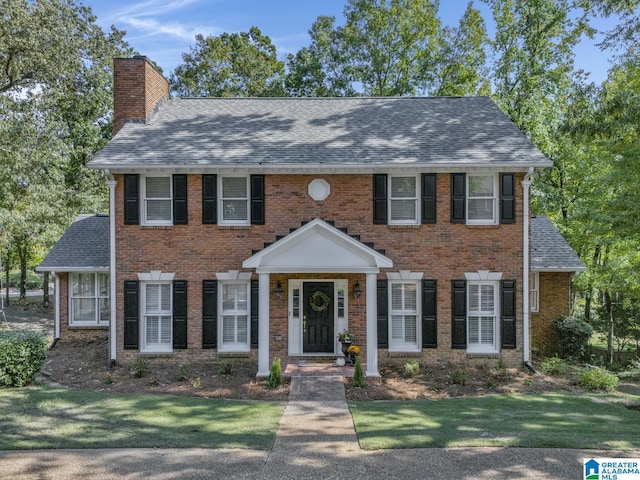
pixel 317 319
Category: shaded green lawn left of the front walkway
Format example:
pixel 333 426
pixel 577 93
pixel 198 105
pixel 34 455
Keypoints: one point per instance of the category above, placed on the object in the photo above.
pixel 42 417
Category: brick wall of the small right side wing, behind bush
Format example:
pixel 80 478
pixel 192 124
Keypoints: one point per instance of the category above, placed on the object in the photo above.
pixel 554 303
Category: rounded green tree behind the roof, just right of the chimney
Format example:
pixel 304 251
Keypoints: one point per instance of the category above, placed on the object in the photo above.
pixel 241 64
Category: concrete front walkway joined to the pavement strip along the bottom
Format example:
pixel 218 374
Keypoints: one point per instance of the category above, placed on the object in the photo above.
pixel 316 440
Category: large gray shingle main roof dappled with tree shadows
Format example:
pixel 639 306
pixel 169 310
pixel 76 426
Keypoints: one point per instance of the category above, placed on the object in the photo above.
pixel 272 133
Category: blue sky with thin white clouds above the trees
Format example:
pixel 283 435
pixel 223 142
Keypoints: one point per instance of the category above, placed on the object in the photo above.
pixel 165 29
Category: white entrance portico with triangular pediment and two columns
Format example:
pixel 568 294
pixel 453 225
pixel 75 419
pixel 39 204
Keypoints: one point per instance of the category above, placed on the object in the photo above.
pixel 318 248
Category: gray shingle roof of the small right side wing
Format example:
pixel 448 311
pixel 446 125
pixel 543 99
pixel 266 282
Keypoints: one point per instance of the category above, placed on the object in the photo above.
pixel 550 252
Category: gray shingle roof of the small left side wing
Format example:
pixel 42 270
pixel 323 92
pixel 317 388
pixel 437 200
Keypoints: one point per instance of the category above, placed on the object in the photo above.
pixel 84 246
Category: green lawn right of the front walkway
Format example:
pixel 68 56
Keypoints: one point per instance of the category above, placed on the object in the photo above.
pixel 517 420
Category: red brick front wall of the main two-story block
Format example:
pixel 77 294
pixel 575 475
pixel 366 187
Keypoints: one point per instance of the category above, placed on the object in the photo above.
pixel 443 251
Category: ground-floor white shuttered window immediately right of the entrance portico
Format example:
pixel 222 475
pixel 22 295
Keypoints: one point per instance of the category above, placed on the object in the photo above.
pixel 403 316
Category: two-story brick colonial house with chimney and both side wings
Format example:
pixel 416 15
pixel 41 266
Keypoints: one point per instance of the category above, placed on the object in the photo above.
pixel 263 227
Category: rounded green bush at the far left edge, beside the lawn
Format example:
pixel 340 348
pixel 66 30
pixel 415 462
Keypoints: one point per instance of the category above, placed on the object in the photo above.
pixel 22 355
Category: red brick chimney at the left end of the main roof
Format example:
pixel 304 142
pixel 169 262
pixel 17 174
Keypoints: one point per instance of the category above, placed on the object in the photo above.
pixel 138 90
